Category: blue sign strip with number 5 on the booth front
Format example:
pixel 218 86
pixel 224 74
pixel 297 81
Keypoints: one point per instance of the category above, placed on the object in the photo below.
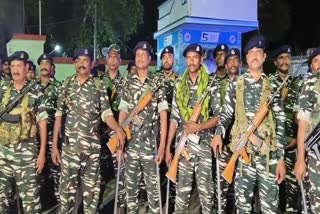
pixel 211 37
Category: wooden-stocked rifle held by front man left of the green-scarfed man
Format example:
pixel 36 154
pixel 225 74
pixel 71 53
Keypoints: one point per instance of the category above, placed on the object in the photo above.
pixel 146 97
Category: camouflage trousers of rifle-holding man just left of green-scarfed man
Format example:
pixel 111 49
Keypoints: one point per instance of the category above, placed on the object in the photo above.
pixel 140 164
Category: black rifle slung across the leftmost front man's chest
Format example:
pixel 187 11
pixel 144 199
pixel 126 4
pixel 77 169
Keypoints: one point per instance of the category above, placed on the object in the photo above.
pixel 10 118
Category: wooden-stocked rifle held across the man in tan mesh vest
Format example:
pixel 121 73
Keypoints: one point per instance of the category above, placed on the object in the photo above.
pixel 228 172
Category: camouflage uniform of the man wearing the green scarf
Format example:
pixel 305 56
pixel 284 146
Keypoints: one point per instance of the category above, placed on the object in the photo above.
pixel 200 164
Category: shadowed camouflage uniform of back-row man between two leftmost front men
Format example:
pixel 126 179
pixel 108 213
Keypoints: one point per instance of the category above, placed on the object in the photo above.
pixel 51 173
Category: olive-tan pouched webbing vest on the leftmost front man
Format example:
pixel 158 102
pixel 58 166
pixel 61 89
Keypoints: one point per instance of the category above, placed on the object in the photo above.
pixel 13 133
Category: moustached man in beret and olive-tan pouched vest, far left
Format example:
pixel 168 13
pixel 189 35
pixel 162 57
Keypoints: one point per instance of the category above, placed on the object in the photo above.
pixel 21 157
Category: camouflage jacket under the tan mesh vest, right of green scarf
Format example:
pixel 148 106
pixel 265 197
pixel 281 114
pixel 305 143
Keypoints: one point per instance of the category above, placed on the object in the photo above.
pixel 252 99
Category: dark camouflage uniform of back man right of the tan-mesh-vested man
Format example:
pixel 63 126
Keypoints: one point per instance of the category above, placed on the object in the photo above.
pixel 290 185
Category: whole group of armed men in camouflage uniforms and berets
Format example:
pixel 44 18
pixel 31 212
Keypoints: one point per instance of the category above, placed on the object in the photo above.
pixel 228 142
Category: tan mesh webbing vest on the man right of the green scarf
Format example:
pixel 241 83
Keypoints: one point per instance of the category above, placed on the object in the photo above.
pixel 266 131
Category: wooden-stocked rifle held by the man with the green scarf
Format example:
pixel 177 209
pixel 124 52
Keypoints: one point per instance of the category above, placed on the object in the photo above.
pixel 180 149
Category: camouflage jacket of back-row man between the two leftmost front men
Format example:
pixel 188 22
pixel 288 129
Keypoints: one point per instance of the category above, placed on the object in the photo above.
pixel 51 92
